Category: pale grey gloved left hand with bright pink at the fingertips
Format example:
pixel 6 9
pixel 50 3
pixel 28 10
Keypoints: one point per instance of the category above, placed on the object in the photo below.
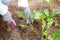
pixel 7 17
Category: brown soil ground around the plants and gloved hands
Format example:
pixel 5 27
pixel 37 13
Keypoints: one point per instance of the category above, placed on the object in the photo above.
pixel 9 33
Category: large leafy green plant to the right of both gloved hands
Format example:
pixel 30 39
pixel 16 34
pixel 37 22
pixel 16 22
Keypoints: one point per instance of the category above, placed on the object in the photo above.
pixel 47 19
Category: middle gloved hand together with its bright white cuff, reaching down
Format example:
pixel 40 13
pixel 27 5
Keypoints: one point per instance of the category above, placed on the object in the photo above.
pixel 25 5
